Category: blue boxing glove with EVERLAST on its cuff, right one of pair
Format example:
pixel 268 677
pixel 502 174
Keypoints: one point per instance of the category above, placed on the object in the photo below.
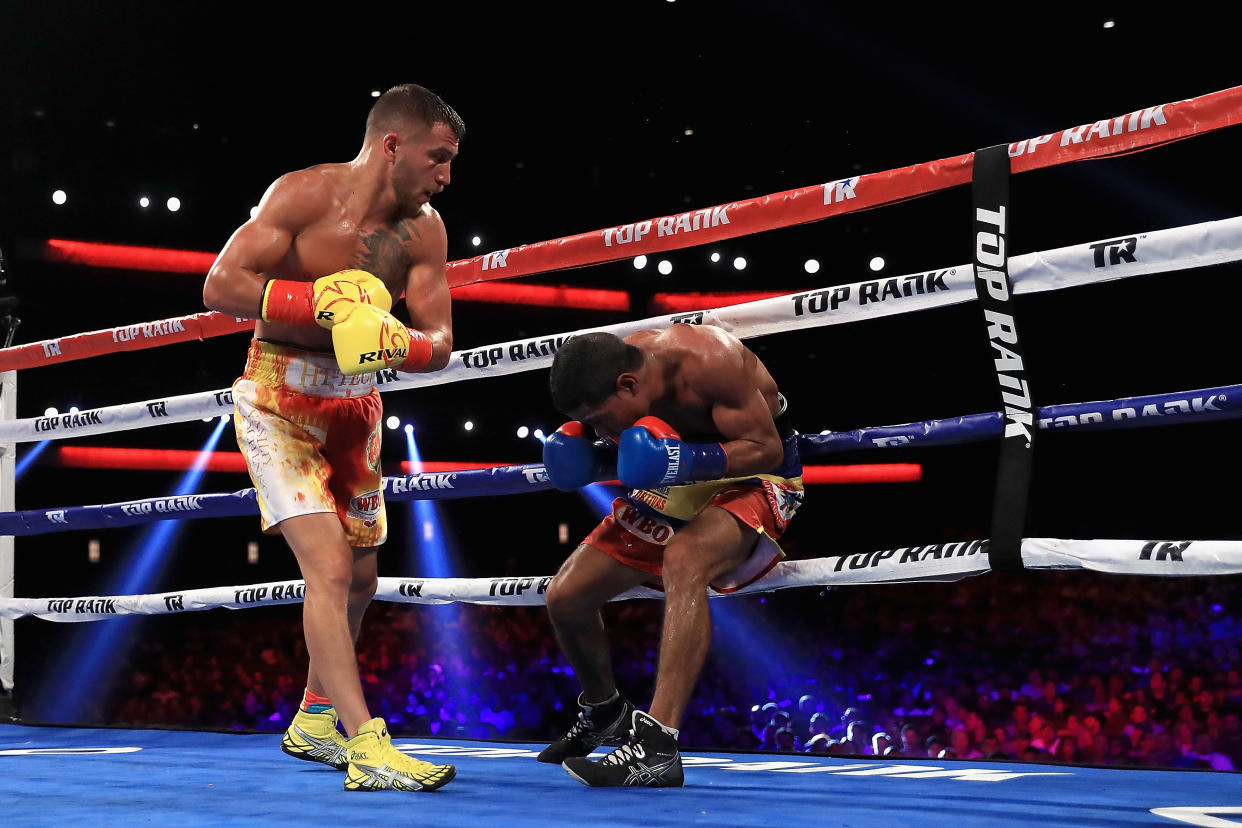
pixel 653 455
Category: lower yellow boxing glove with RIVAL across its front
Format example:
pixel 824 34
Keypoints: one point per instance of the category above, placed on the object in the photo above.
pixel 371 340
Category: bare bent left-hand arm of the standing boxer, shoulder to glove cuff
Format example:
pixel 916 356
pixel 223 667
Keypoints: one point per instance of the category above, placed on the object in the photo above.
pixel 235 282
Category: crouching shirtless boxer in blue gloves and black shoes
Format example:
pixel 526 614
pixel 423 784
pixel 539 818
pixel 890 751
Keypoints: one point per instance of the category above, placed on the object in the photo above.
pixel 696 428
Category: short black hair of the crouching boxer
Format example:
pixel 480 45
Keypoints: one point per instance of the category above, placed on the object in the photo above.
pixel 587 368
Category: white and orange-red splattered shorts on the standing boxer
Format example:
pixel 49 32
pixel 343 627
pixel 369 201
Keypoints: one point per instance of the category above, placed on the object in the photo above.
pixel 311 438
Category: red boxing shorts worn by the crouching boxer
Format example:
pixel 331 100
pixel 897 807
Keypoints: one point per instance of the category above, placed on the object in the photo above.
pixel 645 521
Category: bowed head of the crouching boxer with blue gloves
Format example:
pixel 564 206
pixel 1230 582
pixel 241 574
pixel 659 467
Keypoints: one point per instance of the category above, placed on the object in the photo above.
pixel 597 379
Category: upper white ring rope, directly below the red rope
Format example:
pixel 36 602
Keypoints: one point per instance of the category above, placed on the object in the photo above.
pixel 1192 246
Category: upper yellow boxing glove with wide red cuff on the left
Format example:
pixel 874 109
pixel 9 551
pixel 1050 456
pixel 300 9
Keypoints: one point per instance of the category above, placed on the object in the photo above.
pixel 326 302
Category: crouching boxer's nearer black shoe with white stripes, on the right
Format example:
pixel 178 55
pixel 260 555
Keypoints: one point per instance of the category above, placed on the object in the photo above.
pixel 650 759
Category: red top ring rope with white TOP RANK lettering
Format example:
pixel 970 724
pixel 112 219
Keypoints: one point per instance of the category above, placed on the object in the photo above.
pixel 1120 136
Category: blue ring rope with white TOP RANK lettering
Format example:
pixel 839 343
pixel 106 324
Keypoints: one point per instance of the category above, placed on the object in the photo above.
pixel 1127 413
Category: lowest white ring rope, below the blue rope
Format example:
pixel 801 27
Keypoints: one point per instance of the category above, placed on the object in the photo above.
pixel 932 563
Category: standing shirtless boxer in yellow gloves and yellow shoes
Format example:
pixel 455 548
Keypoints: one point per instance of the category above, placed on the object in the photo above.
pixel 319 266
